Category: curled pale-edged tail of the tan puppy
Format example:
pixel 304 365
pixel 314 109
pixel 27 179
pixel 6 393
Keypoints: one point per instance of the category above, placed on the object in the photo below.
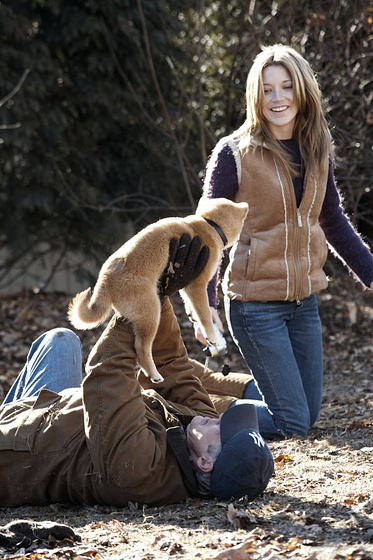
pixel 86 312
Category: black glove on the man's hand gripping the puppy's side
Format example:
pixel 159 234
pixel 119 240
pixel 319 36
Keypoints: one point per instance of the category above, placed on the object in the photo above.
pixel 186 261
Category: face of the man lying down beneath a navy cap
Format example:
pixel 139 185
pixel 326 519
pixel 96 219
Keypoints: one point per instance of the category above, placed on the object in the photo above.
pixel 203 432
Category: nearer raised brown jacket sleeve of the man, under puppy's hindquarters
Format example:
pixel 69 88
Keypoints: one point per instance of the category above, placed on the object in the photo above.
pixel 125 444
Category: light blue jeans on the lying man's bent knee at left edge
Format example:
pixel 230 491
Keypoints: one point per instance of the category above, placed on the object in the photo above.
pixel 54 362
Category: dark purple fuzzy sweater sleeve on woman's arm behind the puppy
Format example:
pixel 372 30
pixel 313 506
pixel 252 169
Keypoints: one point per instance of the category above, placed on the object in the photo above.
pixel 221 181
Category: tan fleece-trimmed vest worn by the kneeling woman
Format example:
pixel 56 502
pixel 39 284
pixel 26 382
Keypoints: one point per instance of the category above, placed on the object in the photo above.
pixel 281 249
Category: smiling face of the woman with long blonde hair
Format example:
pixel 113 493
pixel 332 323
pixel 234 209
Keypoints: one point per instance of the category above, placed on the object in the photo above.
pixel 279 106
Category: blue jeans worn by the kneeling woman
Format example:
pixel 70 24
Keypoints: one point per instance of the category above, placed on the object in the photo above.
pixel 281 343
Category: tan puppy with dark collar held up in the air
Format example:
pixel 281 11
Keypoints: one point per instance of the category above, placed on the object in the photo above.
pixel 128 280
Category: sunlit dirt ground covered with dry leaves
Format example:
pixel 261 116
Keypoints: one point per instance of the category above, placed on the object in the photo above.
pixel 319 504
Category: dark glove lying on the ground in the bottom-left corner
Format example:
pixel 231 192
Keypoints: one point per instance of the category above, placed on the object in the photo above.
pixel 21 533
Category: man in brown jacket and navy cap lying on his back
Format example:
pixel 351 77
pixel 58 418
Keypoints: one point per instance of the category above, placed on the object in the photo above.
pixel 106 440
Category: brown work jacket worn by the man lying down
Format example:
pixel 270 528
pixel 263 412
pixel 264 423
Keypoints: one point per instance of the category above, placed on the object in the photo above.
pixel 108 442
